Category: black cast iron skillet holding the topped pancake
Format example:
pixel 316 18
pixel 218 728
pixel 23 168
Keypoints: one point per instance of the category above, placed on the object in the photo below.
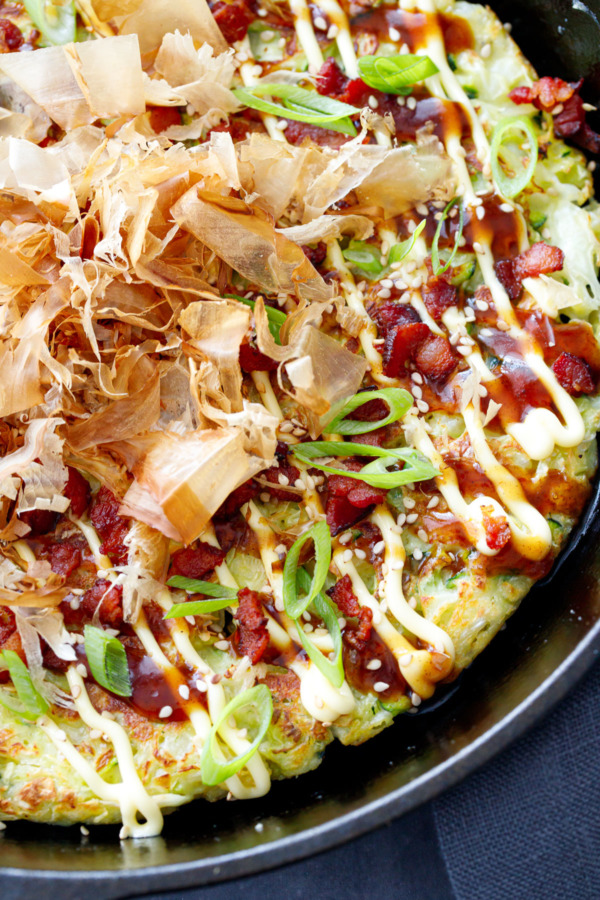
pixel 546 647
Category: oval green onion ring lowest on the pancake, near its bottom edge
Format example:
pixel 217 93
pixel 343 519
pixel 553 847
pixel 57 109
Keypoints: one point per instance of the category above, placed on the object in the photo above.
pixel 215 770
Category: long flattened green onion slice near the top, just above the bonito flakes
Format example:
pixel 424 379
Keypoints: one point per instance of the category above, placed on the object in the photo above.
pixel 300 105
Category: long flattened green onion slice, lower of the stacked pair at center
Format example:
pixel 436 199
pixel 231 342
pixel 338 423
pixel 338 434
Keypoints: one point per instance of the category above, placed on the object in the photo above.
pixel 375 473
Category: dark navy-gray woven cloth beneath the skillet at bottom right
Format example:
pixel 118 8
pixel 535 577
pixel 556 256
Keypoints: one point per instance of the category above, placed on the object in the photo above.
pixel 525 827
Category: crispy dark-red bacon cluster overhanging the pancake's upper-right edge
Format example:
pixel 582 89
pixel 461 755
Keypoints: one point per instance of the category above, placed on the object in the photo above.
pixel 569 122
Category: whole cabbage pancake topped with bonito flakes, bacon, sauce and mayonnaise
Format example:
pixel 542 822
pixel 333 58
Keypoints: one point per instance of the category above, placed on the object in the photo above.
pixel 300 381
